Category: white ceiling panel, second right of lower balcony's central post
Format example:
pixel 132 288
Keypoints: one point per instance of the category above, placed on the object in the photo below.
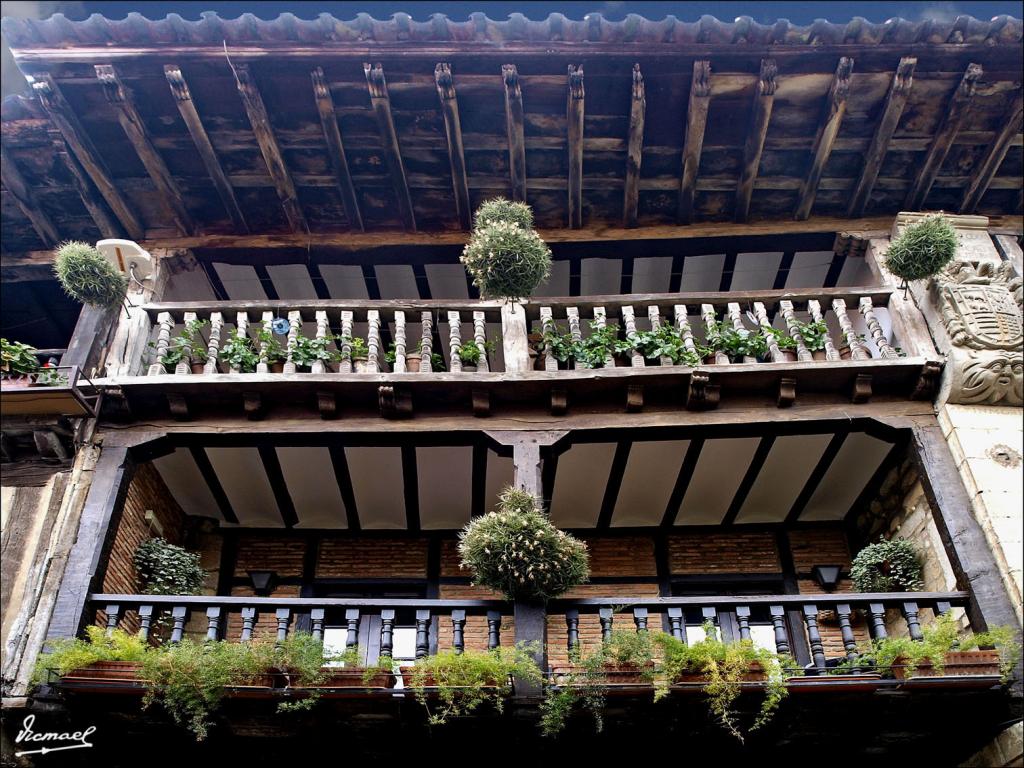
pixel 651 476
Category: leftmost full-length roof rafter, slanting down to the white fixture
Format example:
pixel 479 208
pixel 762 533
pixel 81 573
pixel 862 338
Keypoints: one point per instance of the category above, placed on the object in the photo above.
pixel 86 152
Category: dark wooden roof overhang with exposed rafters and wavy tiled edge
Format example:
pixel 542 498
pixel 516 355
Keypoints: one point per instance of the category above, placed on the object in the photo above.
pixel 174 132
